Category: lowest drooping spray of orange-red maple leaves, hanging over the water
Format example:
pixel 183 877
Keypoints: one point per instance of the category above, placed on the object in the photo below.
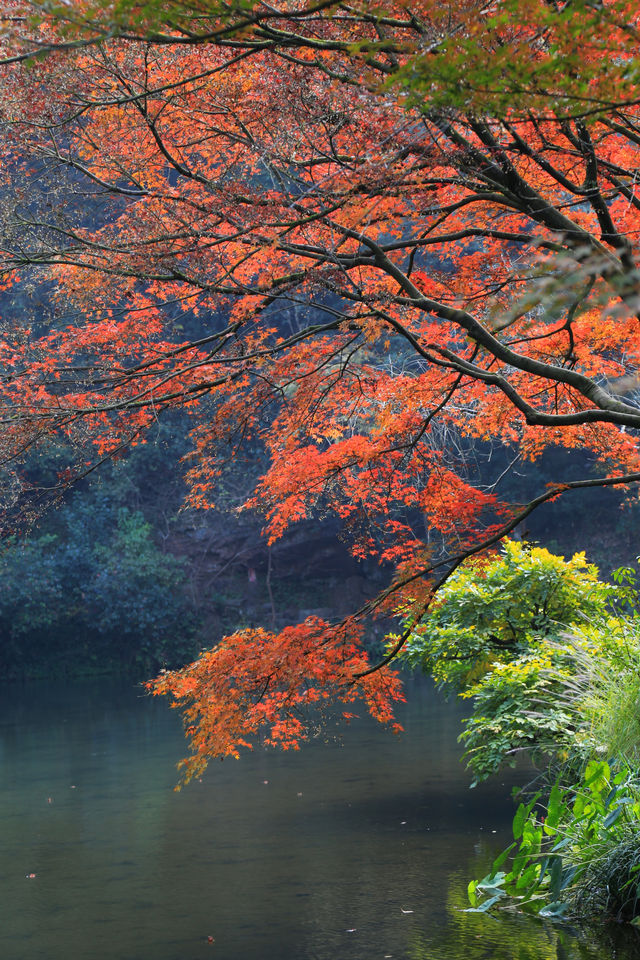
pixel 227 703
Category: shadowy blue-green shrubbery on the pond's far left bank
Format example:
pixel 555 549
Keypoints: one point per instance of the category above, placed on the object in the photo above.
pixel 97 596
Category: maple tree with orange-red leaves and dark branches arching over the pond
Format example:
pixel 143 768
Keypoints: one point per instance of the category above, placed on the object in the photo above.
pixel 406 230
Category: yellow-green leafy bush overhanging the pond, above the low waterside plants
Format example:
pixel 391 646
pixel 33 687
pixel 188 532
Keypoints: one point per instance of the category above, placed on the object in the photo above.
pixel 497 635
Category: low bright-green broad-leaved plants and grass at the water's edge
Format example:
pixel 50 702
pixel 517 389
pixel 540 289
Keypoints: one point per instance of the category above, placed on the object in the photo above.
pixel 582 857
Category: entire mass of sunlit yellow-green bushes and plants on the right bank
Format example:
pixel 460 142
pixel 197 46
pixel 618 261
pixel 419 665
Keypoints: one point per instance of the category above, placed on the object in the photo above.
pixel 550 657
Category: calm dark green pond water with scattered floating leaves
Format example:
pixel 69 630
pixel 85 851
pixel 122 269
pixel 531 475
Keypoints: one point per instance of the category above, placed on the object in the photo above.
pixel 348 850
